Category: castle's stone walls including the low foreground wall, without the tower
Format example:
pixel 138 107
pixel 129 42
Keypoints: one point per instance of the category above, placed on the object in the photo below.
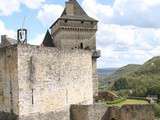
pixel 41 83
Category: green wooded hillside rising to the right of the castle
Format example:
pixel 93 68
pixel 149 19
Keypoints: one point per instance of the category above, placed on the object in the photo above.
pixel 136 80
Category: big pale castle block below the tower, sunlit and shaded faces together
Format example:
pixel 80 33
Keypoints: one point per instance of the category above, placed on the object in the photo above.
pixel 40 81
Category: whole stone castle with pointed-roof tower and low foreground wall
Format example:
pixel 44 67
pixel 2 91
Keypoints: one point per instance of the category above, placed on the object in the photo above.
pixel 57 80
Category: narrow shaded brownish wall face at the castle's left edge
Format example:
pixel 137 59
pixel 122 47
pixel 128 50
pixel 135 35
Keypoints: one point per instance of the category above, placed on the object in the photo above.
pixel 8 80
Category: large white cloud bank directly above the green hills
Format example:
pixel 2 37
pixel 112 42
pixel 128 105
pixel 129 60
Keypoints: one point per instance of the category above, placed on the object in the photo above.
pixel 121 45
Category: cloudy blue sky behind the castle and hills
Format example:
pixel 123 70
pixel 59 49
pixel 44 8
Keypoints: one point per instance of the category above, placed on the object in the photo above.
pixel 128 30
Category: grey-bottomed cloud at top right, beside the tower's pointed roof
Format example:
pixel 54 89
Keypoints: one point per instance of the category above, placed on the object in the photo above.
pixel 142 13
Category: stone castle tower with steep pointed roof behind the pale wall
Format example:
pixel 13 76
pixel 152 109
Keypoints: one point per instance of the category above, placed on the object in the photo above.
pixel 75 30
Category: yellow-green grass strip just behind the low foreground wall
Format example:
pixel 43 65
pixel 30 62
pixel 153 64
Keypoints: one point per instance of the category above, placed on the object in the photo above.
pixel 129 102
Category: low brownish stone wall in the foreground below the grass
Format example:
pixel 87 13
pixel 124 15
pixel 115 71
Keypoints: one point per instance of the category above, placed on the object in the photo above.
pixel 101 112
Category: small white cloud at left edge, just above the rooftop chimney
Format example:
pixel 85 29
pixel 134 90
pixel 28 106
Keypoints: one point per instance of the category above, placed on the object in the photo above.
pixel 6 31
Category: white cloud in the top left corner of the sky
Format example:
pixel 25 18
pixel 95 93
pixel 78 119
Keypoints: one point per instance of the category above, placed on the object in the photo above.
pixel 7 7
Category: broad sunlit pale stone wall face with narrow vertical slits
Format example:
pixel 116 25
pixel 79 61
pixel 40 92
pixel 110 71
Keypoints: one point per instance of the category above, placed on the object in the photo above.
pixel 51 79
